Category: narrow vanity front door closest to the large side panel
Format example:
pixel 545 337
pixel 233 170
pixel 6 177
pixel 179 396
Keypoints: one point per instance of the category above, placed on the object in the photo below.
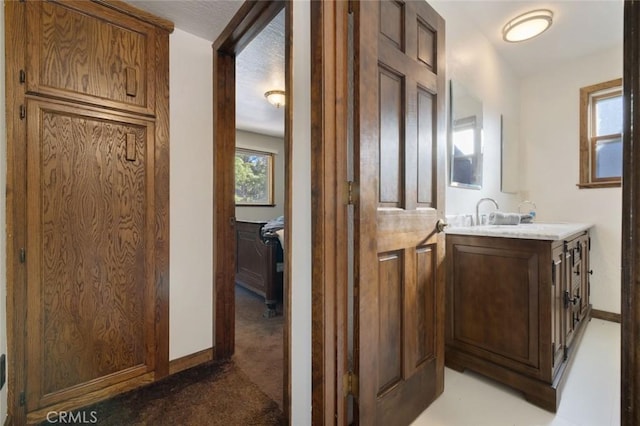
pixel 557 307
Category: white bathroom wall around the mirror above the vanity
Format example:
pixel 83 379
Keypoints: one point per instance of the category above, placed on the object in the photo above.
pixel 473 62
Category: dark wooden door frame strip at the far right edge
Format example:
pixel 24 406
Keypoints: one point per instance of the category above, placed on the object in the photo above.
pixel 630 389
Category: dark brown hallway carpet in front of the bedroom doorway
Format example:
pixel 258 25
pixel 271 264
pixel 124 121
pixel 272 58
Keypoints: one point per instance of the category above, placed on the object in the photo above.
pixel 211 394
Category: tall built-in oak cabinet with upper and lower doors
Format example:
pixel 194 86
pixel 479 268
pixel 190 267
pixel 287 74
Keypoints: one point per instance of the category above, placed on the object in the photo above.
pixel 87 106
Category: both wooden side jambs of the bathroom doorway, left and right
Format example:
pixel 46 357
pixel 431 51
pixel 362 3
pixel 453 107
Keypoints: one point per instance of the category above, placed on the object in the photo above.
pixel 328 335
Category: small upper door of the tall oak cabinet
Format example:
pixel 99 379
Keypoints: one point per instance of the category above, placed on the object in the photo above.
pixel 93 55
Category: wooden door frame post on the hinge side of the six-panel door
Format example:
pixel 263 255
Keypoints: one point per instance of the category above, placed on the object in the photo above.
pixel 329 280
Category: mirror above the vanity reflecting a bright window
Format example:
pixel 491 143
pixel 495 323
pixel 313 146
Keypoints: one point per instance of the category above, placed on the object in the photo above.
pixel 465 133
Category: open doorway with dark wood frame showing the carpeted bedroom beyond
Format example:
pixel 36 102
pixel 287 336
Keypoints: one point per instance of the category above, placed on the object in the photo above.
pixel 251 295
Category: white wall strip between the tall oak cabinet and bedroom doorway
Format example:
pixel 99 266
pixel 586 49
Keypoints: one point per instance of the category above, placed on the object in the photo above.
pixel 191 192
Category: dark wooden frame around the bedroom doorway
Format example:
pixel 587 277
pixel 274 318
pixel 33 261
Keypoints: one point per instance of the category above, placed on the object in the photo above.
pixel 252 17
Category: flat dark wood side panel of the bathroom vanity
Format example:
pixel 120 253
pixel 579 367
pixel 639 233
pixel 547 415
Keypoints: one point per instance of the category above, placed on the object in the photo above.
pixel 496 318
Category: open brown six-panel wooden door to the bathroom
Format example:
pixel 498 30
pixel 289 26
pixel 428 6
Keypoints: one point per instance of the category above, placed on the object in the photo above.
pixel 399 171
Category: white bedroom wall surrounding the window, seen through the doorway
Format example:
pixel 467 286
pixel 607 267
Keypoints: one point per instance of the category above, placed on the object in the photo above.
pixel 273 145
